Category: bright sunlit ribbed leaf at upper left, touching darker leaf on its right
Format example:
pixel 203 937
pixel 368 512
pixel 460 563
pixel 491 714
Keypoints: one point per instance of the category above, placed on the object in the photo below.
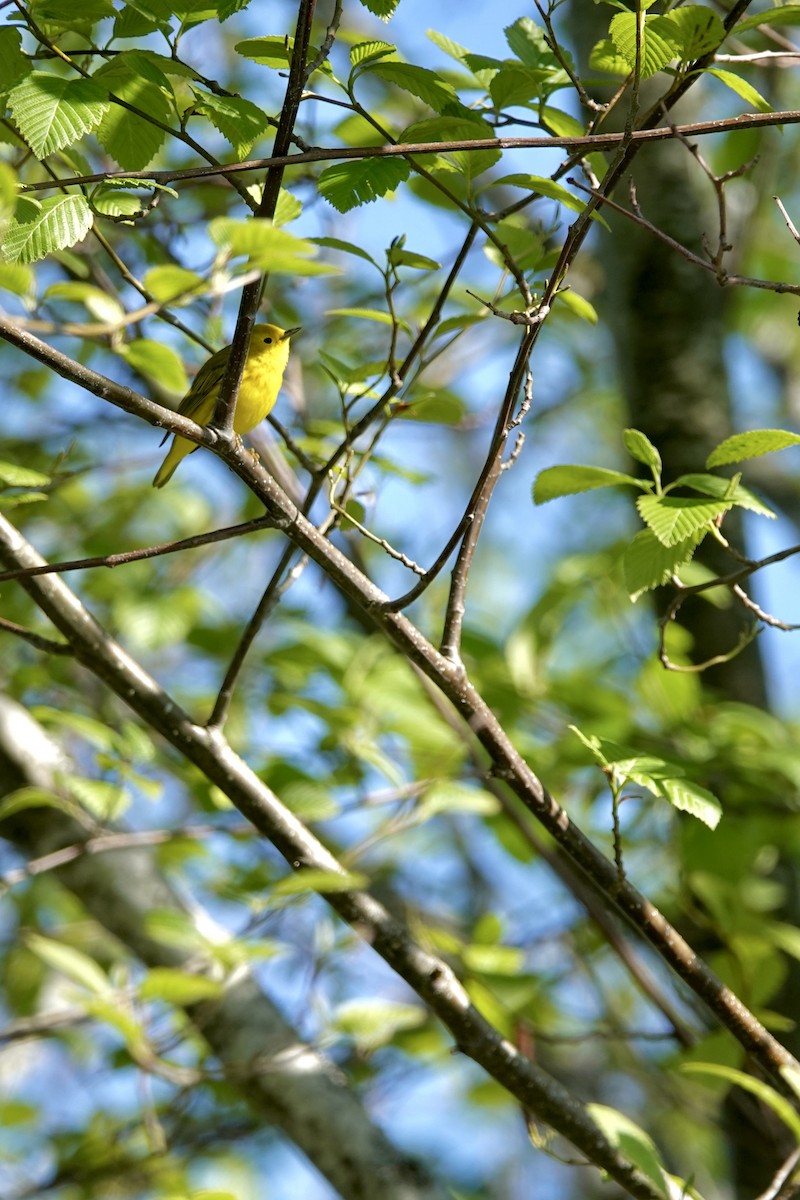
pixel 52 112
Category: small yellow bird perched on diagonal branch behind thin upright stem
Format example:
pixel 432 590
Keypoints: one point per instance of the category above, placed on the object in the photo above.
pixel 261 382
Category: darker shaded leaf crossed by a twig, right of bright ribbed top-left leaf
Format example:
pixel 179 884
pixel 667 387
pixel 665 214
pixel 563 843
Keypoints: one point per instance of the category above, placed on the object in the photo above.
pixel 134 141
